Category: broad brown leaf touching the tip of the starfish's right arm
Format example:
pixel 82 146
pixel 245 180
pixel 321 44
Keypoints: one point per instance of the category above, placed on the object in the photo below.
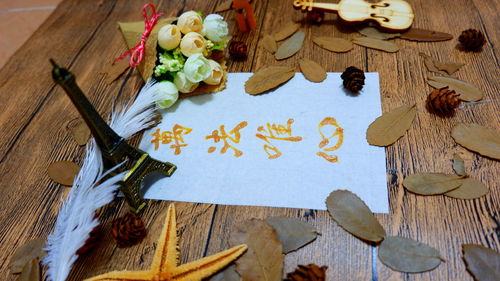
pixel 264 259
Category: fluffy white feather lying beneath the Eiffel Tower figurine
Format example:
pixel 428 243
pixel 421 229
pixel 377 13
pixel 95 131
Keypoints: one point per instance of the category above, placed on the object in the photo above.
pixel 76 219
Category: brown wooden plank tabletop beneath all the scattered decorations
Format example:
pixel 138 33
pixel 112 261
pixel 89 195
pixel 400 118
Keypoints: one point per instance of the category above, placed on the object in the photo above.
pixel 83 35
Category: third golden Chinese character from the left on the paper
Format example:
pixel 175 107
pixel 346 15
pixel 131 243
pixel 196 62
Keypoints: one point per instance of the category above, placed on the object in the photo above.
pixel 276 132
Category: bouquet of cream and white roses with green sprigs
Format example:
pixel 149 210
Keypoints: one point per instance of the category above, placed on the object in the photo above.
pixel 189 57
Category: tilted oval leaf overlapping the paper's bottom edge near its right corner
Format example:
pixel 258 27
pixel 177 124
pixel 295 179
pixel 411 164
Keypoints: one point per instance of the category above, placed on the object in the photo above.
pixel 352 214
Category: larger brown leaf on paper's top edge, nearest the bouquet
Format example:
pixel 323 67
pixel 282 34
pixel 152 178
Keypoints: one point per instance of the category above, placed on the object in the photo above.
pixel 268 78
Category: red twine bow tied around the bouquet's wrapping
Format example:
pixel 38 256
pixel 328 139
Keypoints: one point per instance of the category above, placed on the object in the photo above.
pixel 138 51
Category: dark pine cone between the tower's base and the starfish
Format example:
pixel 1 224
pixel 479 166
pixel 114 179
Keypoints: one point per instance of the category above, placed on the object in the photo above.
pixel 128 230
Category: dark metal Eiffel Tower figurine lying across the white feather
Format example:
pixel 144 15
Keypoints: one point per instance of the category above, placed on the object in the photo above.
pixel 114 148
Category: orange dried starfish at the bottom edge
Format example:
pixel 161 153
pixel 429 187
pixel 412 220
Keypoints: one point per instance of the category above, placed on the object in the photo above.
pixel 165 261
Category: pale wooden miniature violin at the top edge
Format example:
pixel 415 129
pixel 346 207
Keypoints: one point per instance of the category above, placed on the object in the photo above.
pixel 391 14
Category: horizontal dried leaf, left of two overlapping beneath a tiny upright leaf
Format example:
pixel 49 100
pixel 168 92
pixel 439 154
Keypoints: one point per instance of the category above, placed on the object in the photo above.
pixel 431 183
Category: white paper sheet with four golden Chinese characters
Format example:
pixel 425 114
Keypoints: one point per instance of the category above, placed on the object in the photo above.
pixel 299 177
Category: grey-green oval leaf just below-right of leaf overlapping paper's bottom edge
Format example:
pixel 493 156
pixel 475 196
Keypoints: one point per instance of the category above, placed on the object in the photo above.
pixel 407 255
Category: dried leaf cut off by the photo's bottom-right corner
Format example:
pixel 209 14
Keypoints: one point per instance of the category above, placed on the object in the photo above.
pixel 482 262
